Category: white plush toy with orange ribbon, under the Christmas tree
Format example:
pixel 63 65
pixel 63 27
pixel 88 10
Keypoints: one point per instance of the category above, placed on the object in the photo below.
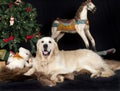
pixel 19 60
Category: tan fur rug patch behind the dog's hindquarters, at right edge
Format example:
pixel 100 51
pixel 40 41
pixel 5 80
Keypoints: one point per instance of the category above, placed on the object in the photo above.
pixel 113 64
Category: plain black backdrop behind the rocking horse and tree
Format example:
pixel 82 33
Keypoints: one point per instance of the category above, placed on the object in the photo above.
pixel 104 23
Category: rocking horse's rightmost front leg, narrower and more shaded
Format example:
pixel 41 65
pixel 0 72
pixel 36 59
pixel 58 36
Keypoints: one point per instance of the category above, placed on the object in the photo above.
pixel 88 34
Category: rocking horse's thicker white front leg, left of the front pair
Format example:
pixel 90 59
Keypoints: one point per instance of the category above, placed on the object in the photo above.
pixel 80 31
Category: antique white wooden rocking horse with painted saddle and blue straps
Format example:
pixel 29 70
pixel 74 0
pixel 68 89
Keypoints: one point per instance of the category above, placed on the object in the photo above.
pixel 79 24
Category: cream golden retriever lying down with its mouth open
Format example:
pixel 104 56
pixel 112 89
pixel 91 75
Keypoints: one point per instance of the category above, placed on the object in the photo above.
pixel 50 60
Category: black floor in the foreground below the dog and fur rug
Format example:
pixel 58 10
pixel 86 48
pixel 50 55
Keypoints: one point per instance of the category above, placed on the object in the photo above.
pixel 81 83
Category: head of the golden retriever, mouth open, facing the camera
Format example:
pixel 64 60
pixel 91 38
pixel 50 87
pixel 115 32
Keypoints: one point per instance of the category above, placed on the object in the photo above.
pixel 47 47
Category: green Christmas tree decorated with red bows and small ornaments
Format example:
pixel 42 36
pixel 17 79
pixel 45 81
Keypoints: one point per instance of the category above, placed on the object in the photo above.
pixel 18 24
